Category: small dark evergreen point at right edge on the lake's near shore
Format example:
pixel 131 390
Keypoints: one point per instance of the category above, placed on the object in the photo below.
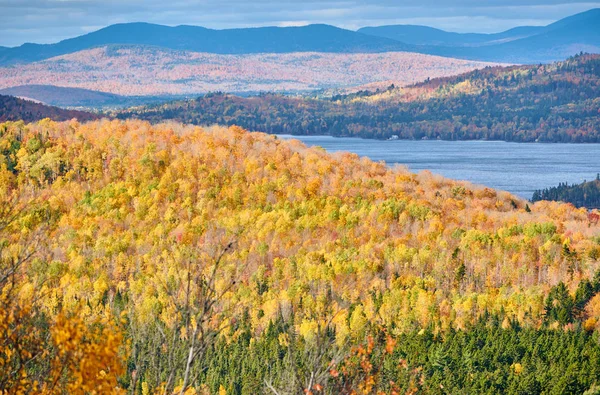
pixel 586 194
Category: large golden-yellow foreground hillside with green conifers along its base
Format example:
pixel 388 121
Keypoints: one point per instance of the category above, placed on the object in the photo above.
pixel 172 258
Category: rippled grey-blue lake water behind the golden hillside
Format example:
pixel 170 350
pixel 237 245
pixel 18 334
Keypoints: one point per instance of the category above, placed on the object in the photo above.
pixel 520 168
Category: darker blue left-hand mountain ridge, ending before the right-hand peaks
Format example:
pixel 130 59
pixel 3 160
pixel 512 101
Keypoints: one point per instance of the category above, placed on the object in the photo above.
pixel 312 38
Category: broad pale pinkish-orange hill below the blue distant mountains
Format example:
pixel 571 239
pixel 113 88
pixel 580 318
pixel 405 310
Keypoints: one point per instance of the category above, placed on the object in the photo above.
pixel 133 70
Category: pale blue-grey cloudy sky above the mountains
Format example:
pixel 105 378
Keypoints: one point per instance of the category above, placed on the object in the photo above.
pixel 46 21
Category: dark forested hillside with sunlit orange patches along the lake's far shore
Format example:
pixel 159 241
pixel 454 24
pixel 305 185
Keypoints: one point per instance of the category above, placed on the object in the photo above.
pixel 551 103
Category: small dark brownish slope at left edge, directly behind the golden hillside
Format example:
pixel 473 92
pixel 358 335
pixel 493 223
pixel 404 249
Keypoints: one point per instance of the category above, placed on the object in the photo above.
pixel 15 109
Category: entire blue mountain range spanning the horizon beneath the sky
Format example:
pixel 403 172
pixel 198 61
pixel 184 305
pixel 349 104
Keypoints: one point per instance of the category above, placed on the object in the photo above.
pixel 526 44
